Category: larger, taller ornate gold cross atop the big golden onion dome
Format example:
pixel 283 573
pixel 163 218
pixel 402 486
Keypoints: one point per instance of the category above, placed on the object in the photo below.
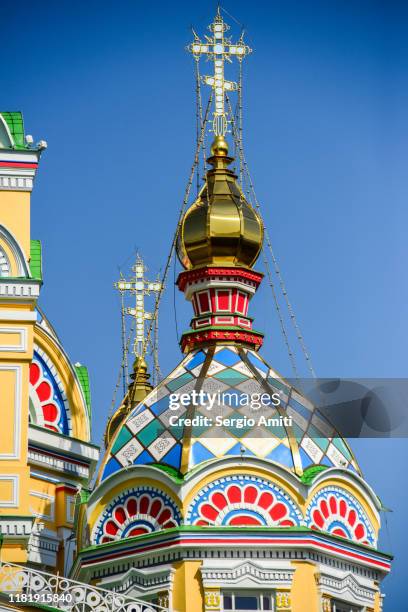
pixel 219 49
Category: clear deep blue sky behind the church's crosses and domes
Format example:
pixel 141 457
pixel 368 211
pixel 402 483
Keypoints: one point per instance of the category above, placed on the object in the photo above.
pixel 109 86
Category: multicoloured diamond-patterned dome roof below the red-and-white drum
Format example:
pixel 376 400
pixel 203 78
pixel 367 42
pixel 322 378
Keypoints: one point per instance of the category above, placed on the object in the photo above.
pixel 150 435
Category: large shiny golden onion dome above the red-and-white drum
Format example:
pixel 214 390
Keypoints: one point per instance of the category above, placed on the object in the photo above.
pixel 221 227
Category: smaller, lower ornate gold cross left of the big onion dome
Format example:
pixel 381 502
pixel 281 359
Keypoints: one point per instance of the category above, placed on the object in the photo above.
pixel 139 286
